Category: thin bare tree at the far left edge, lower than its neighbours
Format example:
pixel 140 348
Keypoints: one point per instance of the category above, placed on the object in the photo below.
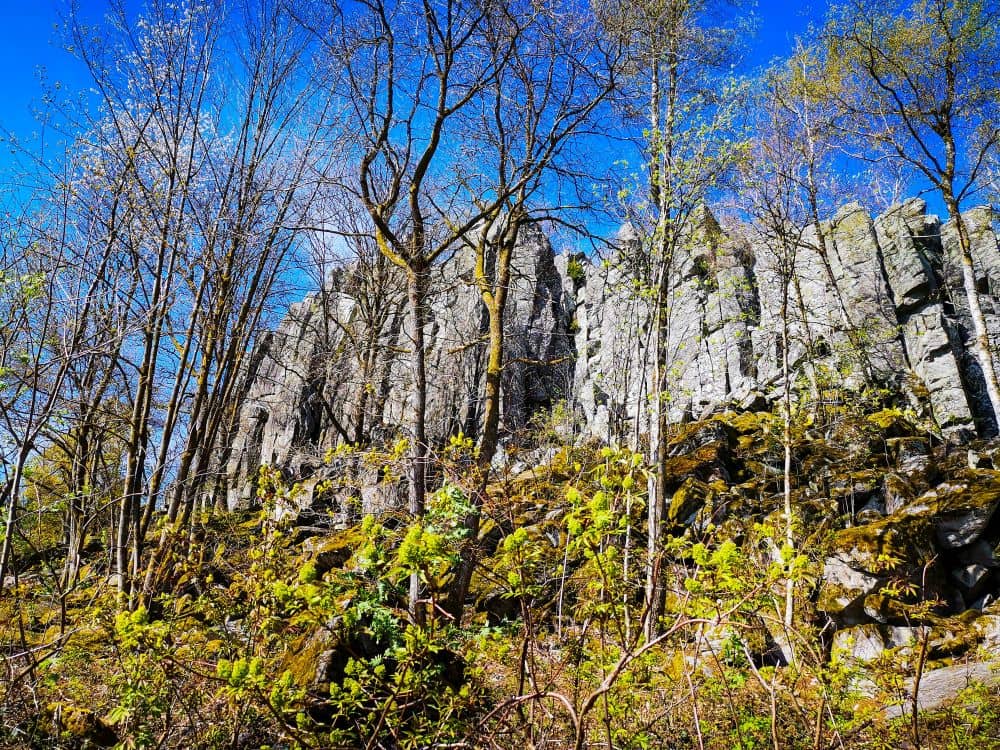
pixel 47 328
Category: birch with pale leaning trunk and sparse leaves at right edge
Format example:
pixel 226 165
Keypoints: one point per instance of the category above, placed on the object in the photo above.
pixel 919 81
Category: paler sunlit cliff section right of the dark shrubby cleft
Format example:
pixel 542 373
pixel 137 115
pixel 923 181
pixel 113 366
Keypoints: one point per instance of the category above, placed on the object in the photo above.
pixel 872 302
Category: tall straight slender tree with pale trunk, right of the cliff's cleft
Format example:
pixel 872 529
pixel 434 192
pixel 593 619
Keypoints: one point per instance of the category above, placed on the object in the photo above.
pixel 681 52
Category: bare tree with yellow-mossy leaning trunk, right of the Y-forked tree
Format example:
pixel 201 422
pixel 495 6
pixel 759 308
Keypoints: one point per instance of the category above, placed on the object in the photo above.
pixel 555 65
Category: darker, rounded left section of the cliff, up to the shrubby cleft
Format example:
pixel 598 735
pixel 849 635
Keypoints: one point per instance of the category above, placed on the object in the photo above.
pixel 338 370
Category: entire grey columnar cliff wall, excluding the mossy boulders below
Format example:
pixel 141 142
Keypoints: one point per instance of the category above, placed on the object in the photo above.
pixel 882 307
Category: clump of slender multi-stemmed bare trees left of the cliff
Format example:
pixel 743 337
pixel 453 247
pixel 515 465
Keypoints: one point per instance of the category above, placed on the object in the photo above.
pixel 198 166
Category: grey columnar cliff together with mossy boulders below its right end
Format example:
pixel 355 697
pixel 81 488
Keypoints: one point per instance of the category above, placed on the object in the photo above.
pixel 879 317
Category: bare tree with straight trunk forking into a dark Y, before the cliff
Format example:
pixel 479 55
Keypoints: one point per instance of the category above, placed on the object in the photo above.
pixel 409 69
